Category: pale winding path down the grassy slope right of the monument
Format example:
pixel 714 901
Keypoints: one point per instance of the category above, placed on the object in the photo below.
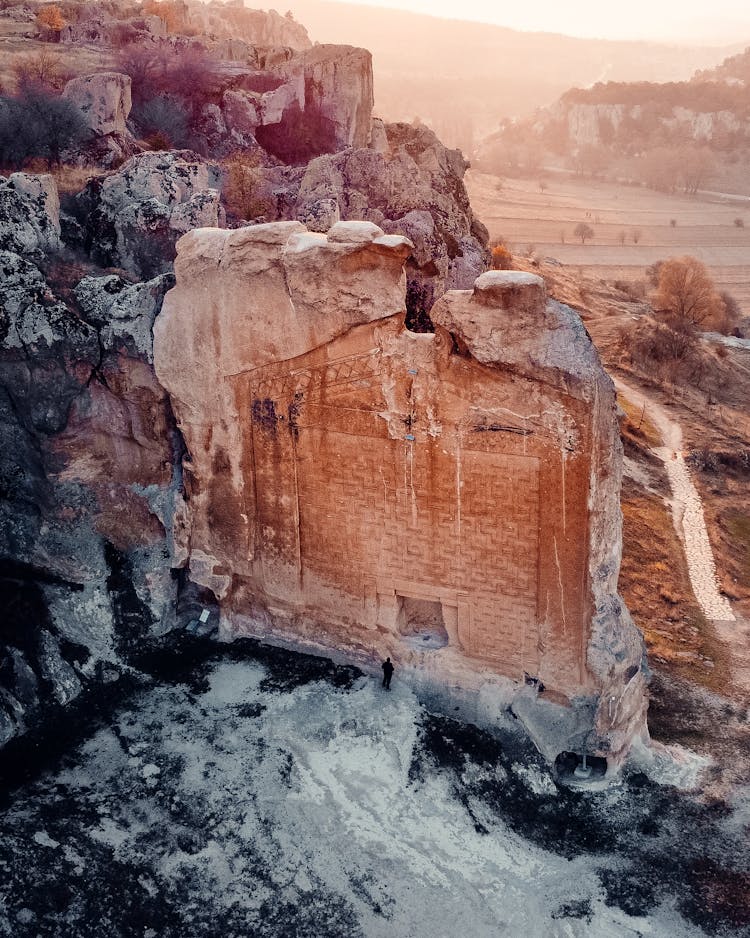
pixel 687 508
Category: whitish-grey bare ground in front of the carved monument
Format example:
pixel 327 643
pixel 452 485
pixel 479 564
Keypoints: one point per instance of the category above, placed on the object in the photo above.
pixel 309 794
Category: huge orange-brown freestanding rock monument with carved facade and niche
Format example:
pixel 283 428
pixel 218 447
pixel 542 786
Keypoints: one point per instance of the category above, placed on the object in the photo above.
pixel 449 499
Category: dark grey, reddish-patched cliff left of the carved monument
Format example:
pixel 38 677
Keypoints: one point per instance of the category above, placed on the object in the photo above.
pixel 87 469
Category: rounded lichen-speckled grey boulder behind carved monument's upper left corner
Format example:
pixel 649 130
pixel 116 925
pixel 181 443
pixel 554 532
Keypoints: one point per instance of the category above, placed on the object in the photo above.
pixel 134 217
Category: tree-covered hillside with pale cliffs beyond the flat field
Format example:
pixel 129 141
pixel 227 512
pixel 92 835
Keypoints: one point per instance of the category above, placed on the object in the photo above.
pixel 672 136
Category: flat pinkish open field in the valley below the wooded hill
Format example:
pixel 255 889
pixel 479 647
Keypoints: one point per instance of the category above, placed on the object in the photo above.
pixel 524 215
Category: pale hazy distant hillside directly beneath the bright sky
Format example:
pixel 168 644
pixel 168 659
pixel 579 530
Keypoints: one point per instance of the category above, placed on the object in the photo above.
pixel 463 78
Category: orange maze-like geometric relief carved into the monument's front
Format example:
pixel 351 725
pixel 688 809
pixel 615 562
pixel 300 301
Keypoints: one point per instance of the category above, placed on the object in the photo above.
pixel 368 505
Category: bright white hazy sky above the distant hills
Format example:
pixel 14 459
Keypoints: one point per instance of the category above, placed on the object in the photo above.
pixel 717 20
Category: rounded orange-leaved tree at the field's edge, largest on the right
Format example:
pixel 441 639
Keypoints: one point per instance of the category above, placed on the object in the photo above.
pixel 687 293
